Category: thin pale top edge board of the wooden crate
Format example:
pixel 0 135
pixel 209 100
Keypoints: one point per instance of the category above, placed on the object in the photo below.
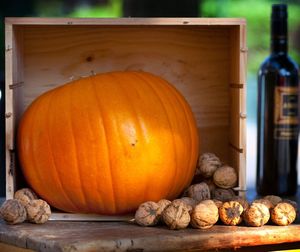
pixel 124 21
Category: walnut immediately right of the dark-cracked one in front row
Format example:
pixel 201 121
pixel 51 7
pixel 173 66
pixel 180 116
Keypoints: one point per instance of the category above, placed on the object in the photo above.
pixel 256 215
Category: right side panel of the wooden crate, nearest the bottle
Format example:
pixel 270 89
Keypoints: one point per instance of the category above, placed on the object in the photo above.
pixel 237 135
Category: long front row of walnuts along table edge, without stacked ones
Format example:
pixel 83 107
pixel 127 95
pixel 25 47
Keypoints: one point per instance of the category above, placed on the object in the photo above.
pixel 182 212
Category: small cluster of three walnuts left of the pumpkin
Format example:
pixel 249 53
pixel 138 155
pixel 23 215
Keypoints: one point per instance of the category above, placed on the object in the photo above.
pixel 25 206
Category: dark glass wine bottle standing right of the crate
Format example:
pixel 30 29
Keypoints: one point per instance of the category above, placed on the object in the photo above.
pixel 277 114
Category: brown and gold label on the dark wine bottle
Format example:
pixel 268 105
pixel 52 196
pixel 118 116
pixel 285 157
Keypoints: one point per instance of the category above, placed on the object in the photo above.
pixel 286 113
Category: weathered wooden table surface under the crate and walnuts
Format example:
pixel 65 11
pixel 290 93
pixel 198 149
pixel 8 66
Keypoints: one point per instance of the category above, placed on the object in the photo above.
pixel 125 236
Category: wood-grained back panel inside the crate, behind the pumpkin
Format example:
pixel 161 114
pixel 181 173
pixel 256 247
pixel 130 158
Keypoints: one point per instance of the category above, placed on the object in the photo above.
pixel 194 59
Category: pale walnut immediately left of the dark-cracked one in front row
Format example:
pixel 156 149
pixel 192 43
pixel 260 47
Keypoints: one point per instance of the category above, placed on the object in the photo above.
pixel 204 215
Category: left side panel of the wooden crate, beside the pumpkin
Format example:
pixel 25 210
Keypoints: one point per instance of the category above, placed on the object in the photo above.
pixel 14 87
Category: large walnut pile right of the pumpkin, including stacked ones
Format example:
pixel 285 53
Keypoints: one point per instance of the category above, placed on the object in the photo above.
pixel 213 199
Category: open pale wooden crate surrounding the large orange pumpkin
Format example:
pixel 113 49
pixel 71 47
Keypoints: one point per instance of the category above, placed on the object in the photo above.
pixel 205 58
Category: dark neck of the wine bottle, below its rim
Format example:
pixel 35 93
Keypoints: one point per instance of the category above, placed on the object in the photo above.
pixel 279 40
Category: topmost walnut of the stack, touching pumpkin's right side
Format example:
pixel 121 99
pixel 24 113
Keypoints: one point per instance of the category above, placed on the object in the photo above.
pixel 207 165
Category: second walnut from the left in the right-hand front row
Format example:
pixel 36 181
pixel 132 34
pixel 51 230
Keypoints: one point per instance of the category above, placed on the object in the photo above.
pixel 176 215
